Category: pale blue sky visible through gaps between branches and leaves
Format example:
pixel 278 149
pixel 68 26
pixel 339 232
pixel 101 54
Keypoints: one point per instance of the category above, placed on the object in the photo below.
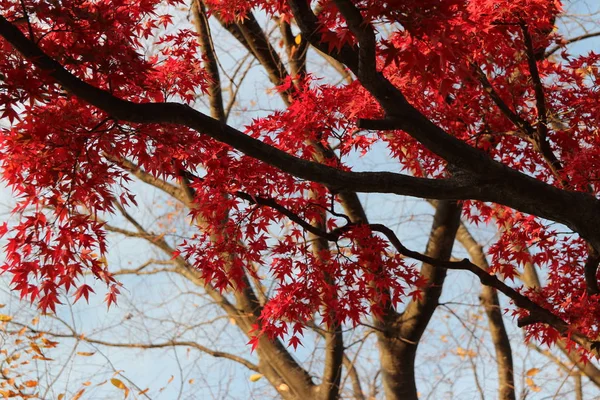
pixel 155 308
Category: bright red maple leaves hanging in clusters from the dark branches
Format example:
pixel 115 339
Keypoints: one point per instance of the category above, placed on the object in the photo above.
pixel 58 155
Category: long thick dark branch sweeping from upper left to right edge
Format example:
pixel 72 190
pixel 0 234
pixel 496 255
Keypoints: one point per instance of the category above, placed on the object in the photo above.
pixel 497 183
